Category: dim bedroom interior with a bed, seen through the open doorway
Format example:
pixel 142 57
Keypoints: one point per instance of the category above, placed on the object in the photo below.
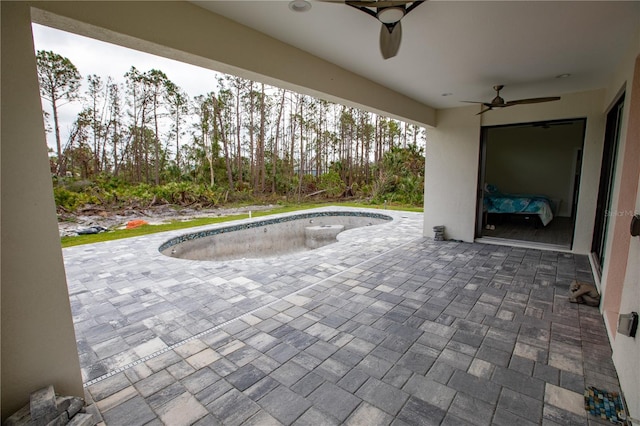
pixel 533 169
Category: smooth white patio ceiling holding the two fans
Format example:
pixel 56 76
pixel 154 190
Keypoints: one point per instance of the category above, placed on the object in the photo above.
pixel 460 47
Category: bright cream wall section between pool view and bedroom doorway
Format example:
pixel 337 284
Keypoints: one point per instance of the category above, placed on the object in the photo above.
pixel 451 173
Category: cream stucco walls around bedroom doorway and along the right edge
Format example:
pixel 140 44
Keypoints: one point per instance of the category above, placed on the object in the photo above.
pixel 450 184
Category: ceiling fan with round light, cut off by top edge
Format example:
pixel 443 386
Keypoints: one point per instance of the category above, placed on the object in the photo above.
pixel 389 13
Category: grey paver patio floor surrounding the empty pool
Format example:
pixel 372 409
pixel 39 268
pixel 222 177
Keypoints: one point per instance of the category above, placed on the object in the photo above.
pixel 384 327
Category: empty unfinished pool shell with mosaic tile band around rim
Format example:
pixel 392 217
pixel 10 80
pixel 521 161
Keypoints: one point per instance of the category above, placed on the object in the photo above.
pixel 263 238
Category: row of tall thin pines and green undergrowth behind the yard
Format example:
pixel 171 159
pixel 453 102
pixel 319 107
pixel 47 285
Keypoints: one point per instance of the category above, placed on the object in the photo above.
pixel 246 136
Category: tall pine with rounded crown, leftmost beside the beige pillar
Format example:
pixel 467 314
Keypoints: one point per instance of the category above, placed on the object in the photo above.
pixel 59 80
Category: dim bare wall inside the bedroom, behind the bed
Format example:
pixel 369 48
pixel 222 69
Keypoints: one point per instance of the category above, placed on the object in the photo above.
pixel 534 160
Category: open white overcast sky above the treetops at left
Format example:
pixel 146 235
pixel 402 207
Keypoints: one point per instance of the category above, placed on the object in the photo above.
pixel 104 59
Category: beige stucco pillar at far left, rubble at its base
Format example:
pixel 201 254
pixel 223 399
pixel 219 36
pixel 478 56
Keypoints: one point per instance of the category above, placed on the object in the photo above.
pixel 38 340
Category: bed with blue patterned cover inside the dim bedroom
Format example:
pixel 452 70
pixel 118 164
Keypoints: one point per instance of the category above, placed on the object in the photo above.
pixel 526 204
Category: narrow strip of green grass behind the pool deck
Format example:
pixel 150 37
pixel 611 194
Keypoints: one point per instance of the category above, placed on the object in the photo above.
pixel 178 224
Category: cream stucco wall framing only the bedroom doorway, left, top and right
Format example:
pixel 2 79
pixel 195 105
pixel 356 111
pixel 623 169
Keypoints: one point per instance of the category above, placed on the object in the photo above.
pixel 456 139
